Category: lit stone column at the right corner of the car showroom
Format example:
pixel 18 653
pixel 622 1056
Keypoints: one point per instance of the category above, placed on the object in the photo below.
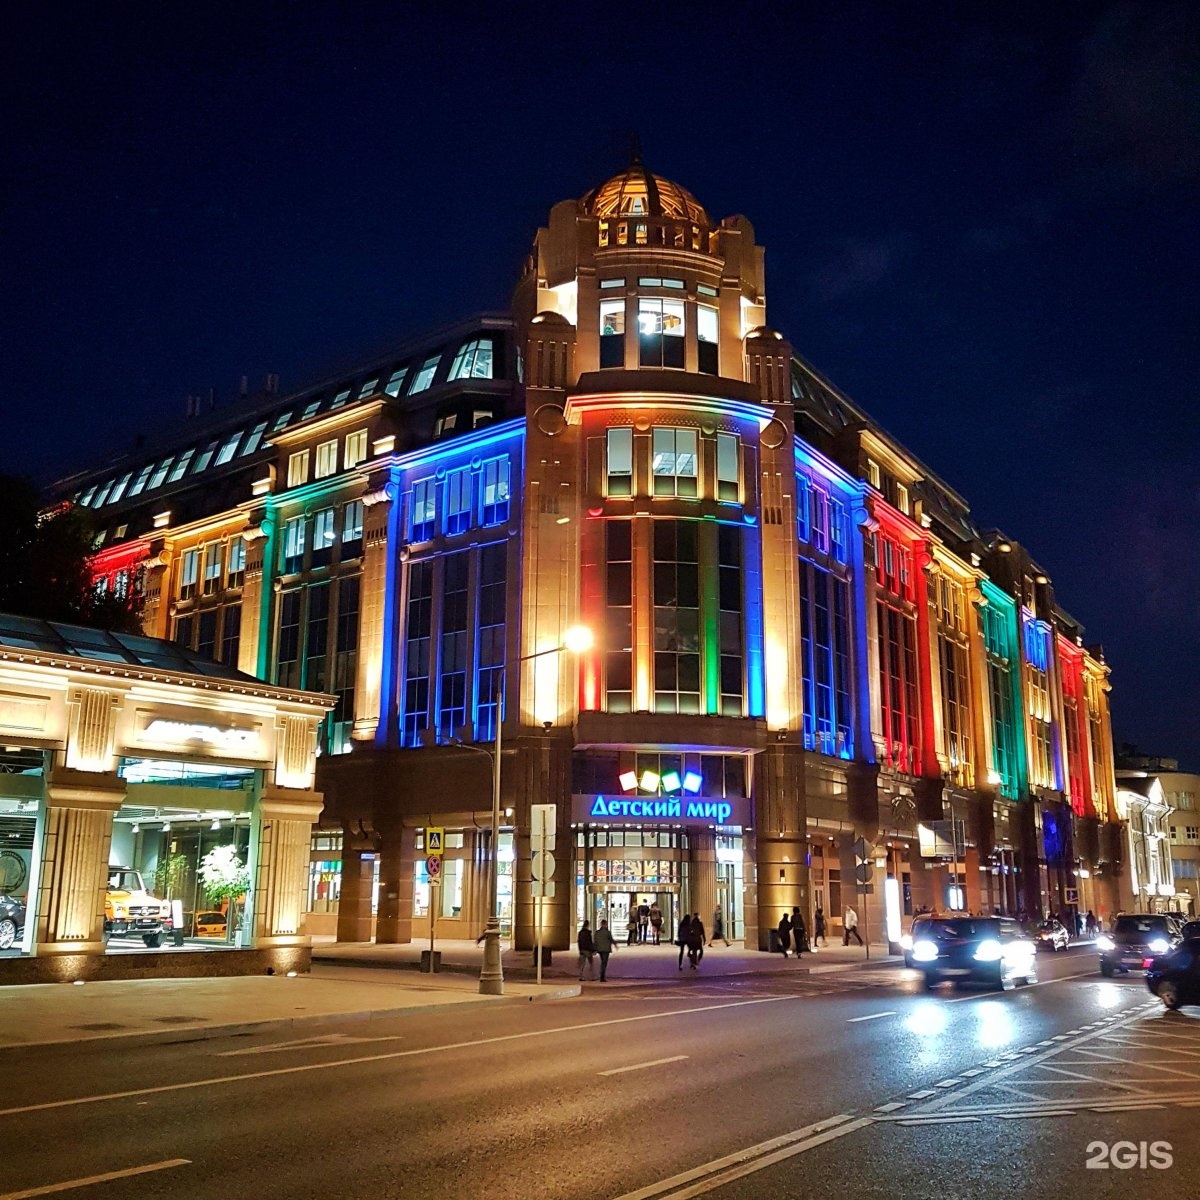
pixel 281 837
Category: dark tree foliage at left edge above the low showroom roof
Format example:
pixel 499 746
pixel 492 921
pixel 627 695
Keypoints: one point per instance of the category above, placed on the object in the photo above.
pixel 44 563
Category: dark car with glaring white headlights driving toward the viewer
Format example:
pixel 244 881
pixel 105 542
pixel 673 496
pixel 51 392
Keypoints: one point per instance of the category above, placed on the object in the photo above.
pixel 992 951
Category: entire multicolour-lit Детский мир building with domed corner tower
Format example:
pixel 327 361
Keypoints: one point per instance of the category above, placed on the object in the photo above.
pixel 802 639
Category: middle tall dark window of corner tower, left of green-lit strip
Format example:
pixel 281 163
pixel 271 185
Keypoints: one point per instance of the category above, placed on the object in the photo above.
pixel 676 617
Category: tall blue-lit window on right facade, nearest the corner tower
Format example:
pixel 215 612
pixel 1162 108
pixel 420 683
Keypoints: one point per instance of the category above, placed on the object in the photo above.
pixel 825 661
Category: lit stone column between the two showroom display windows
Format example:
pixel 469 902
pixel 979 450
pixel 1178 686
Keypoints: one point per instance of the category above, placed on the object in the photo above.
pixel 75 836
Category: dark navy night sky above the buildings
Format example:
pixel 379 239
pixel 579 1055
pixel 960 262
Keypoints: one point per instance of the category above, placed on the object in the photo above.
pixel 981 223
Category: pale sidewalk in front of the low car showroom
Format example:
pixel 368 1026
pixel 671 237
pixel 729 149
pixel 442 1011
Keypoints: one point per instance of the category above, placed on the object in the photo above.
pixel 191 1010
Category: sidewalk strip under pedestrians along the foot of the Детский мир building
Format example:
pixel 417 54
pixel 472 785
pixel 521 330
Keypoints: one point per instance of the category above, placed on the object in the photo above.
pixel 629 964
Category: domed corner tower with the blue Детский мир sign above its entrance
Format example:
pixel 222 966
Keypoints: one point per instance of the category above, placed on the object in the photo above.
pixel 659 512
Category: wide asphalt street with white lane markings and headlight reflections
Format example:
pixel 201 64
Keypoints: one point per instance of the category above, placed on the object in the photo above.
pixel 845 1085
